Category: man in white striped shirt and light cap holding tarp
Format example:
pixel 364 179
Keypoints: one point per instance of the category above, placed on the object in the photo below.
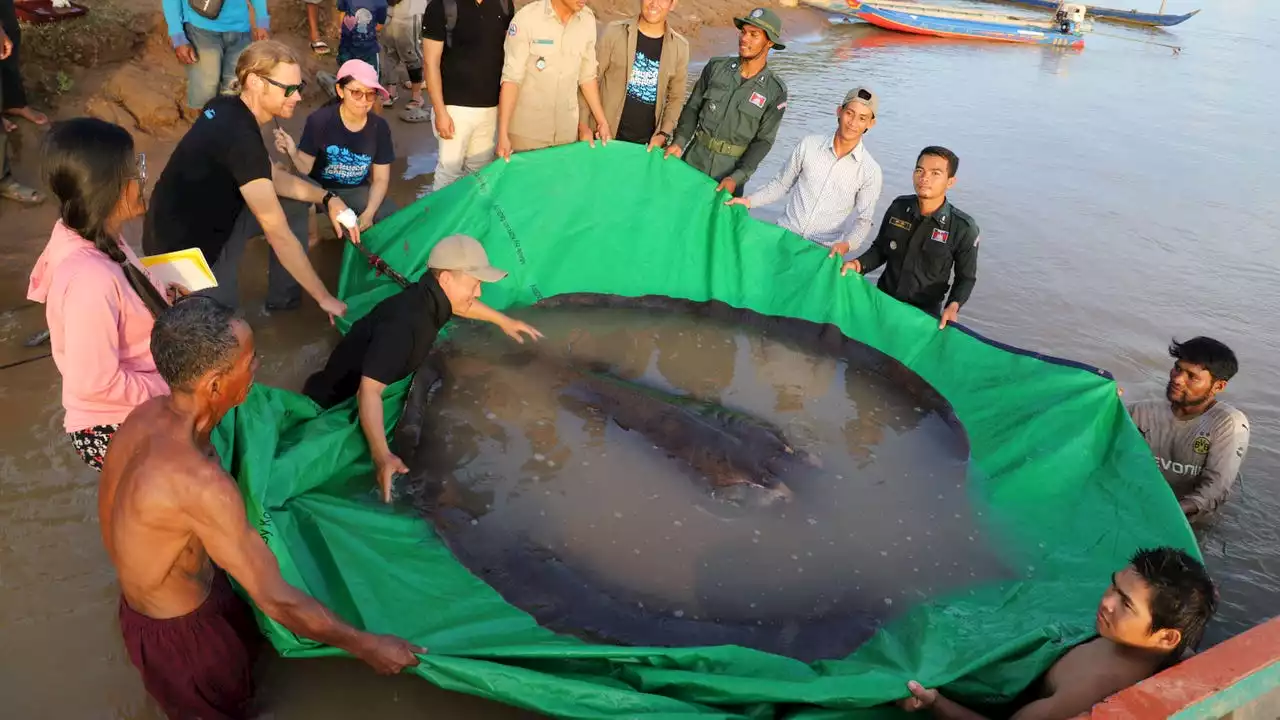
pixel 835 181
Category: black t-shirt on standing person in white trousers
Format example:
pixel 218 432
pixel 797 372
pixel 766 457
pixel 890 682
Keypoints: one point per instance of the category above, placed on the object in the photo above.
pixel 472 67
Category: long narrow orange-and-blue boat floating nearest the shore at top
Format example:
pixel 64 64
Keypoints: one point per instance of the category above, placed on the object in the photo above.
pixel 961 24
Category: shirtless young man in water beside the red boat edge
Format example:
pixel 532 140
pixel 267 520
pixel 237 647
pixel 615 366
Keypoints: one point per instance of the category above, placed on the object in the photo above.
pixel 1155 612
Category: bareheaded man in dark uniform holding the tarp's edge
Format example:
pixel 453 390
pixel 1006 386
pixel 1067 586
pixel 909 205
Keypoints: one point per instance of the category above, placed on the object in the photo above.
pixel 922 239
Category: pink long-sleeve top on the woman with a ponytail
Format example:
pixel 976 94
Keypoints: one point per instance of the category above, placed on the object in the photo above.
pixel 99 329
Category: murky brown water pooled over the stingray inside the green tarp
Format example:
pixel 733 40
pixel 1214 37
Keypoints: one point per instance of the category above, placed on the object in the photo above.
pixel 597 531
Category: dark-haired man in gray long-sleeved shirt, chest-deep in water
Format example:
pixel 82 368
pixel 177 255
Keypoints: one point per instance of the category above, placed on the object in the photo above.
pixel 1199 441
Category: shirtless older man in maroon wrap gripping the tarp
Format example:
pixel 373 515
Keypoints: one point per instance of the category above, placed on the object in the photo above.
pixel 175 527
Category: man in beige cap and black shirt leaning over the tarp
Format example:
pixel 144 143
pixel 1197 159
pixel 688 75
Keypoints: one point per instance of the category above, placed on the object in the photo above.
pixel 391 343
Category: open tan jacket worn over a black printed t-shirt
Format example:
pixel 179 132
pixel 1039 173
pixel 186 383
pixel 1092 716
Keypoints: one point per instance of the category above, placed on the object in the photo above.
pixel 616 53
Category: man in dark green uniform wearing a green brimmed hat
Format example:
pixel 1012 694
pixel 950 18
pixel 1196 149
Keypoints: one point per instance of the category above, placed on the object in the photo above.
pixel 733 116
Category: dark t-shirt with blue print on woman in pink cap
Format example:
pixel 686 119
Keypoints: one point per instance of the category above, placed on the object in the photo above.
pixel 344 158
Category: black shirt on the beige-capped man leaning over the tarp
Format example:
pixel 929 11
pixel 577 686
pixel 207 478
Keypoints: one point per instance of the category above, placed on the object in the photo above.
pixel 387 345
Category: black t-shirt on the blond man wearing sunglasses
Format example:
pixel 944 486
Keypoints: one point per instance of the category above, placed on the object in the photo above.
pixel 198 198
